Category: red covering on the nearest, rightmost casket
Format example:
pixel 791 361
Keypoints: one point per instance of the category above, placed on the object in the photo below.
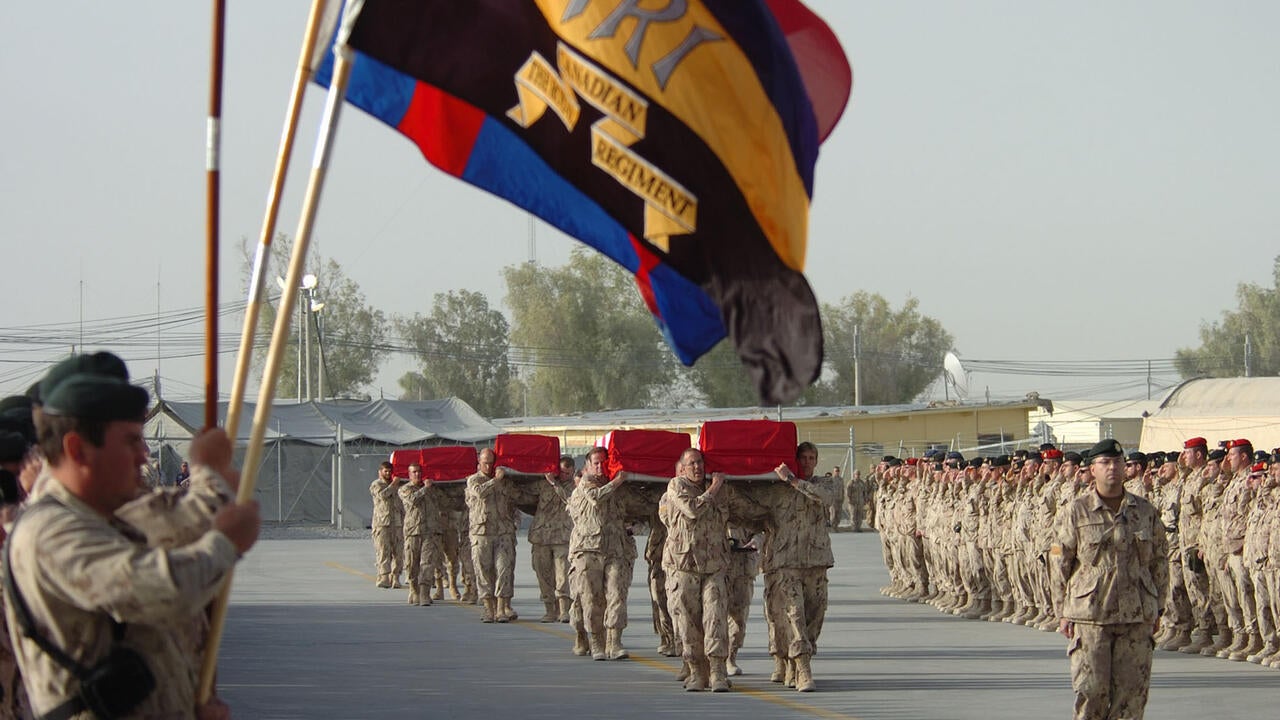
pixel 748 449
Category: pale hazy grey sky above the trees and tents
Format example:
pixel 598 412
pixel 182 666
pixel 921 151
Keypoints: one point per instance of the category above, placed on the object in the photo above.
pixel 1053 181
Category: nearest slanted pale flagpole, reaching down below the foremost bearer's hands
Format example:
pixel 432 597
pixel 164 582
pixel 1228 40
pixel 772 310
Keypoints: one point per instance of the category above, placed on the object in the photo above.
pixel 280 339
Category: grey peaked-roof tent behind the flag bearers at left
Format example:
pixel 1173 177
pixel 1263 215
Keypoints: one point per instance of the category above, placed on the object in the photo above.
pixel 321 457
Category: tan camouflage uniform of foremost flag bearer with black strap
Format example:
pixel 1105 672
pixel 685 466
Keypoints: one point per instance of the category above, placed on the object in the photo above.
pixel 79 573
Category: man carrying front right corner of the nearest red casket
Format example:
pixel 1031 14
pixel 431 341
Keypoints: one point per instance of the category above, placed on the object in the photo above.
pixel 796 559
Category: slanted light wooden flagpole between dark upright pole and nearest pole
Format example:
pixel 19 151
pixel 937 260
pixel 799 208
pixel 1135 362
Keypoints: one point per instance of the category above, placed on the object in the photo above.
pixel 263 257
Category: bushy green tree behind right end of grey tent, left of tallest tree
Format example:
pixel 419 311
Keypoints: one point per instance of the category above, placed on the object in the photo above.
pixel 463 348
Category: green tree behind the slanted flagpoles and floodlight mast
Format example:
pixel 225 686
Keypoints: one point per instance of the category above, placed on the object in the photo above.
pixel 346 332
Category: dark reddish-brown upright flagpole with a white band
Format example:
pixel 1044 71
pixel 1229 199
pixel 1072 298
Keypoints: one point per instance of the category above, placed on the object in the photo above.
pixel 213 161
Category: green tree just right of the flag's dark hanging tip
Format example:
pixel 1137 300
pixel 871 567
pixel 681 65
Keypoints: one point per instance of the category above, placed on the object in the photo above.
pixel 900 352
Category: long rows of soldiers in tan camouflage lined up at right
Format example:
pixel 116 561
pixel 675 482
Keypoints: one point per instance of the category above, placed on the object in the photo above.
pixel 1003 540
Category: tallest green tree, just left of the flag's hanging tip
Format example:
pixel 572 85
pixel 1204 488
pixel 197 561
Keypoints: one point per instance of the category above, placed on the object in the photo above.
pixel 587 336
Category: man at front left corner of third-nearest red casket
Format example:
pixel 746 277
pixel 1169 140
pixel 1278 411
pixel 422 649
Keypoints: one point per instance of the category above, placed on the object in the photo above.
pixel 493 537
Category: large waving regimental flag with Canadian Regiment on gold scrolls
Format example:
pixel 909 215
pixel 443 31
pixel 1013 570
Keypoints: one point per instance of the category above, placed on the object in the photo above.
pixel 676 138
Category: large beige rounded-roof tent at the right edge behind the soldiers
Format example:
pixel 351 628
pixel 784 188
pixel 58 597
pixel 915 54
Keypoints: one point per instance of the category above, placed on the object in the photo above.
pixel 1217 409
